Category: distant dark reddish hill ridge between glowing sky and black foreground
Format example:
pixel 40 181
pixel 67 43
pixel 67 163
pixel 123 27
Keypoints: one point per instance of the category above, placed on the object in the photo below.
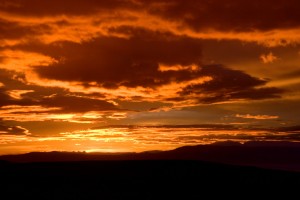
pixel 271 155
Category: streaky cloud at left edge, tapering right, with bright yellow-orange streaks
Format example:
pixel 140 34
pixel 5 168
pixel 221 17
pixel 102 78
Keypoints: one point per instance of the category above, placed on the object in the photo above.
pixel 37 103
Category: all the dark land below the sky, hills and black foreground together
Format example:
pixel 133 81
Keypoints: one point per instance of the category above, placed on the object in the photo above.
pixel 185 173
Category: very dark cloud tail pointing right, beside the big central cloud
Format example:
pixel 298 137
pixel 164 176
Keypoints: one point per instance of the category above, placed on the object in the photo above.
pixel 229 84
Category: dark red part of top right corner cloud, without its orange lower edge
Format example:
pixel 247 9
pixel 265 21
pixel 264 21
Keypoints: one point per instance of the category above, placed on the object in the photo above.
pixel 229 14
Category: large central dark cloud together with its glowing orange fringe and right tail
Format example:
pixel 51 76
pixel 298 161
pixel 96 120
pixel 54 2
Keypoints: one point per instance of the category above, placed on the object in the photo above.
pixel 148 66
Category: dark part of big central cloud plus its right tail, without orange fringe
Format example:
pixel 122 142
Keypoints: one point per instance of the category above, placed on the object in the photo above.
pixel 112 62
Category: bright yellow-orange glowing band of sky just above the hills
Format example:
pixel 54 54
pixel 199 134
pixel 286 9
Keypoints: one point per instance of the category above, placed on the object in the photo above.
pixel 135 139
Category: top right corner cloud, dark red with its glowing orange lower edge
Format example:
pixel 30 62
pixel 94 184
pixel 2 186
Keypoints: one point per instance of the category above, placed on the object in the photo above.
pixel 232 19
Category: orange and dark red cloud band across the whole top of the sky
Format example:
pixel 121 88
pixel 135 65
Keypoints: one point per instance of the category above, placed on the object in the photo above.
pixel 83 21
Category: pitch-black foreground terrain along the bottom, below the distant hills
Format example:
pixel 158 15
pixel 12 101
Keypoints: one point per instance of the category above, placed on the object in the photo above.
pixel 141 180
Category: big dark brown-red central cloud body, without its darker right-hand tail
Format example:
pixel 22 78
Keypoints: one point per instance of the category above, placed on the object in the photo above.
pixel 112 62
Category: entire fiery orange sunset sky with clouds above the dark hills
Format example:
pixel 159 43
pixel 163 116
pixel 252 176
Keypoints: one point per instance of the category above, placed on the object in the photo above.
pixel 134 75
